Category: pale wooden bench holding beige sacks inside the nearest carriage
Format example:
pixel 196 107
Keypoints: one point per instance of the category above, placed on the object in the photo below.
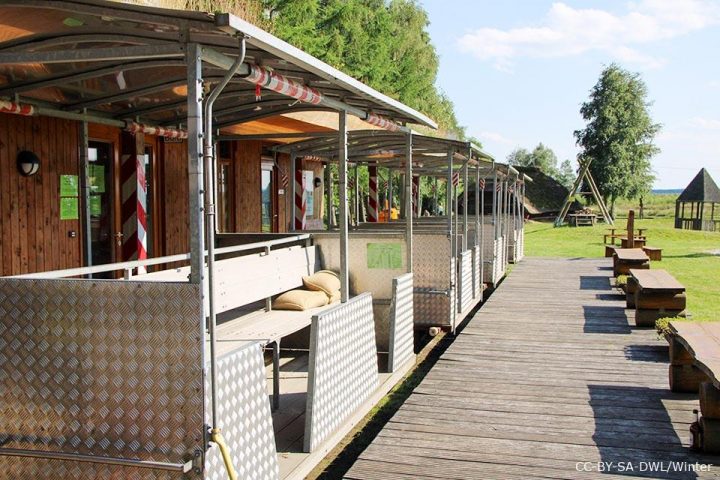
pixel 247 280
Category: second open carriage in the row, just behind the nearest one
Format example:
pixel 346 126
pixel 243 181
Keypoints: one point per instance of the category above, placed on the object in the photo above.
pixel 445 256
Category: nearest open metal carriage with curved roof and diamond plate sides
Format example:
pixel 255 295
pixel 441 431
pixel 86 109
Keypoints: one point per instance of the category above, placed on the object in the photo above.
pixel 116 356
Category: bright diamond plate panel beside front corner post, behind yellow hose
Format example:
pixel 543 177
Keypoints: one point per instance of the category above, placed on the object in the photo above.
pixel 244 417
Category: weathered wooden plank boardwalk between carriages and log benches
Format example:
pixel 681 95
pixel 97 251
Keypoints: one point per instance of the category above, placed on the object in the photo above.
pixel 550 374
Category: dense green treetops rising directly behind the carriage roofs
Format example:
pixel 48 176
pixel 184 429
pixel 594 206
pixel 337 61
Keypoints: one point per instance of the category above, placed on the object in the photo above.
pixel 382 43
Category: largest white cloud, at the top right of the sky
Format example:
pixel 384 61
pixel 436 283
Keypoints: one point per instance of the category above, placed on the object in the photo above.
pixel 567 31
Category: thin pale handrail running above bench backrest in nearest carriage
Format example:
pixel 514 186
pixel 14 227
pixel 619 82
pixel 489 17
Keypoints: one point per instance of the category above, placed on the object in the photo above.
pixel 132 264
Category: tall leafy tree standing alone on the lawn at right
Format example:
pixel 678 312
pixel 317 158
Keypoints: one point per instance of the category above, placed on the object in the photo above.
pixel 619 134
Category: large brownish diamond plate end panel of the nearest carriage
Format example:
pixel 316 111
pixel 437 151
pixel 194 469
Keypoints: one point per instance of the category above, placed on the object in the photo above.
pixel 103 368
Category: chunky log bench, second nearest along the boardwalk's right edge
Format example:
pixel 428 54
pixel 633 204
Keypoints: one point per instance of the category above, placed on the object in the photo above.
pixel 656 294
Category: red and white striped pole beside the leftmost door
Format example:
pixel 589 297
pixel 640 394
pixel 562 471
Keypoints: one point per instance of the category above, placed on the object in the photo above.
pixel 134 197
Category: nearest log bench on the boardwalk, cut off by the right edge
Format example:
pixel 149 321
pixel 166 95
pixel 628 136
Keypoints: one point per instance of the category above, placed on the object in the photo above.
pixel 695 367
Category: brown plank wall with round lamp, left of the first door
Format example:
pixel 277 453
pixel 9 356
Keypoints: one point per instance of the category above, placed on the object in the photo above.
pixel 32 236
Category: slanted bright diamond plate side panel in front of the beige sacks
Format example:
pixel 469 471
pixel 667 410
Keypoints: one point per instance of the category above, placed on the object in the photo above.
pixel 343 371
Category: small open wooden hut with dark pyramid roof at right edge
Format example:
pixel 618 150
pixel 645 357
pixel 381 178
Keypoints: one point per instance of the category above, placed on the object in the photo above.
pixel 696 205
